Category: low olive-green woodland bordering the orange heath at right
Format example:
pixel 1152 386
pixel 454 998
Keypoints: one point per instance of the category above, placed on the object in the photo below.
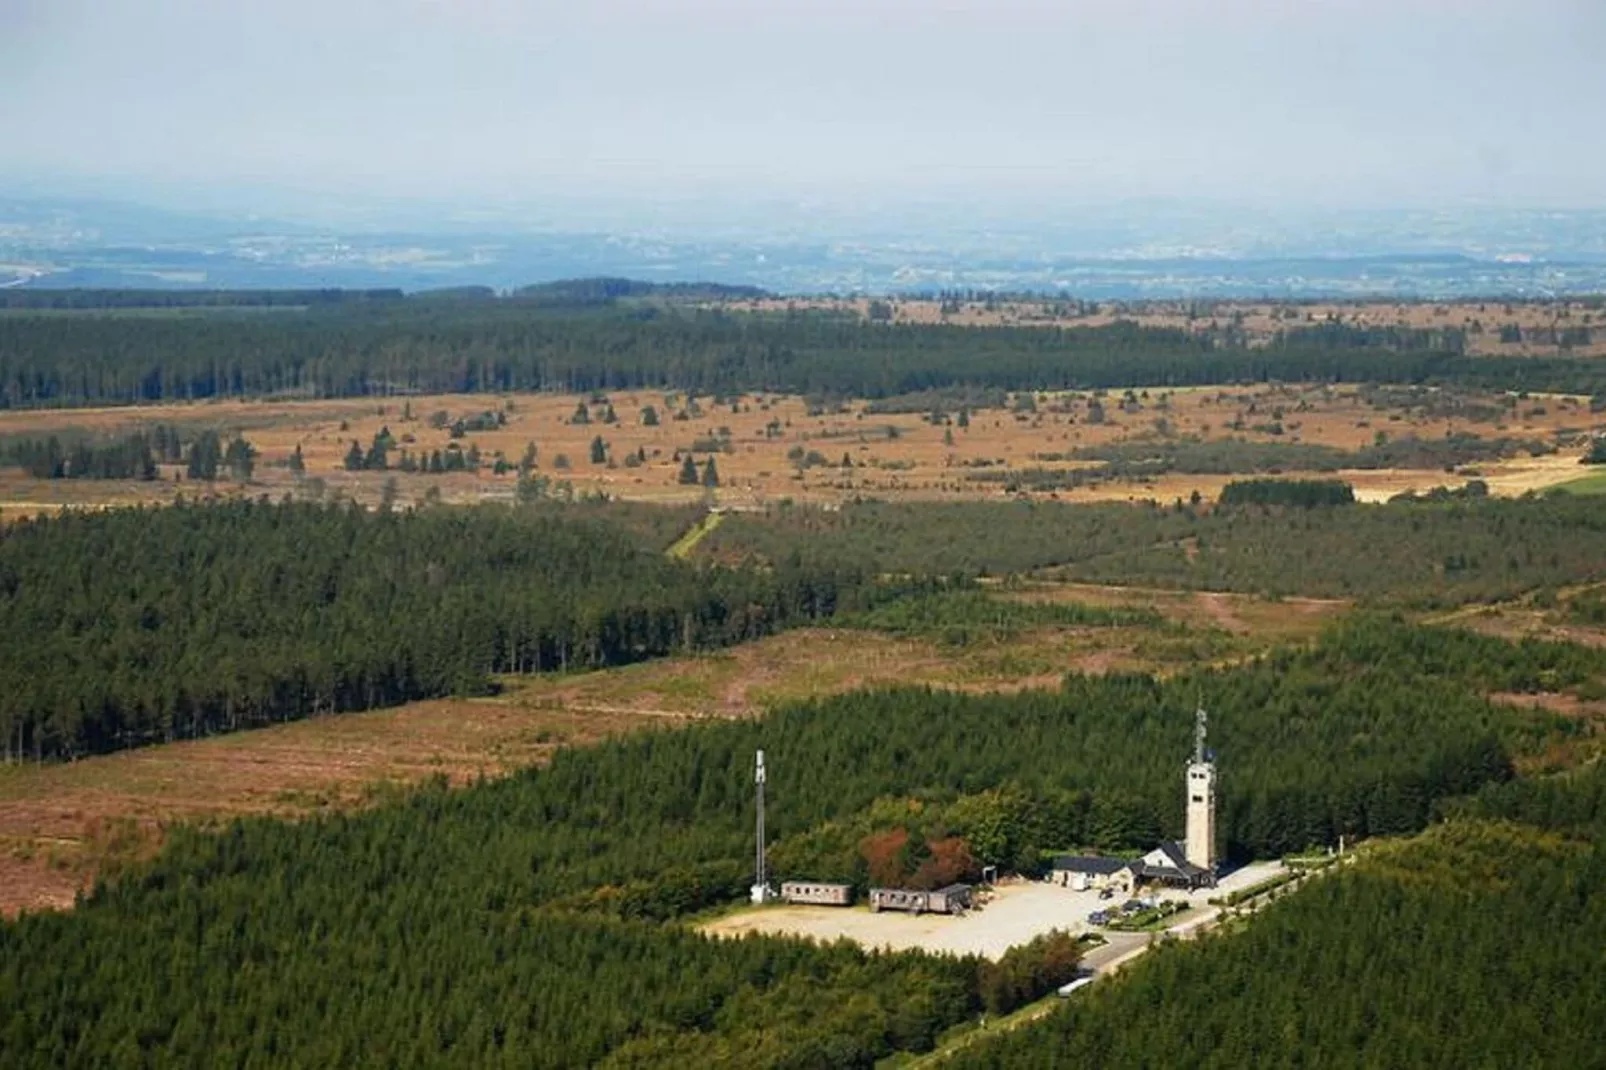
pixel 1419 553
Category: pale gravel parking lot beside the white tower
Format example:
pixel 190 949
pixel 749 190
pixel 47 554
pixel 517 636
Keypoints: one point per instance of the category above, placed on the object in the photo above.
pixel 1014 913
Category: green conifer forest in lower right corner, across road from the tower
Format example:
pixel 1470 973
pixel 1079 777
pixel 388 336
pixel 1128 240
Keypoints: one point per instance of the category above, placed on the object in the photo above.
pixel 1477 945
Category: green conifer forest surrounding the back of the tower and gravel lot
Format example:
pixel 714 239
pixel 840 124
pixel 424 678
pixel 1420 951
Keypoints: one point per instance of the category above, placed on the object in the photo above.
pixel 516 923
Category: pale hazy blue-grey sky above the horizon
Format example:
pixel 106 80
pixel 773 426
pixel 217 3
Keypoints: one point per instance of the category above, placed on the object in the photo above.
pixel 1298 102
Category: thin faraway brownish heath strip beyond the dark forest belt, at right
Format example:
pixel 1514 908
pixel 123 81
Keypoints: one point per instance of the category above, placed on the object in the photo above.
pixel 1538 325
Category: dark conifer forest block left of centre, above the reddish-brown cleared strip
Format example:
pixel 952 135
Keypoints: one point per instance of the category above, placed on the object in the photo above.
pixel 142 626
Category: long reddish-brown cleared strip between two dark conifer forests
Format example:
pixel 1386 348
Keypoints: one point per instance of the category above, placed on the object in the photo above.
pixel 60 825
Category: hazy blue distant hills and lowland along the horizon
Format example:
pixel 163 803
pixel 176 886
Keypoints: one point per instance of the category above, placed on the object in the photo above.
pixel 1125 253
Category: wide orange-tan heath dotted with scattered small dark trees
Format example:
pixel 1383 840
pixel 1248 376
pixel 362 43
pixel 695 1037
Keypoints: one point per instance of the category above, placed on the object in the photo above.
pixel 772 449
